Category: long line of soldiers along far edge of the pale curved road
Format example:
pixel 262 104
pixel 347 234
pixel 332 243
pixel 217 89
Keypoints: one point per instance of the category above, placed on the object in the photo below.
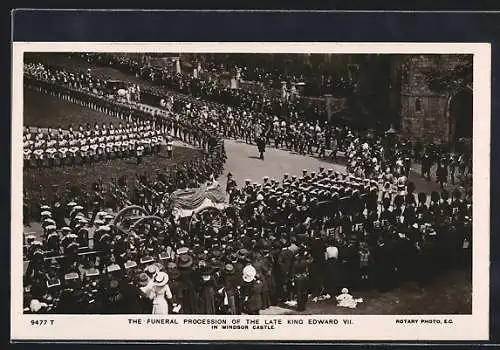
pixel 366 155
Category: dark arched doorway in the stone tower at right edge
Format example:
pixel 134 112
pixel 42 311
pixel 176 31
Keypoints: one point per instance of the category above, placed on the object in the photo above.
pixel 461 115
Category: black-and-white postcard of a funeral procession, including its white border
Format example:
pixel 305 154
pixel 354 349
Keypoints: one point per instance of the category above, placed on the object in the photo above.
pixel 250 191
